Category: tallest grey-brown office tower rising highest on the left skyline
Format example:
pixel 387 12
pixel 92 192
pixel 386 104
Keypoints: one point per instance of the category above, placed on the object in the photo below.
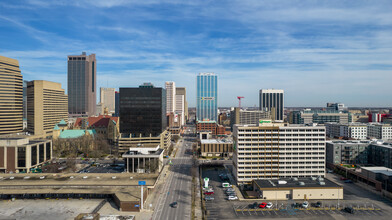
pixel 82 83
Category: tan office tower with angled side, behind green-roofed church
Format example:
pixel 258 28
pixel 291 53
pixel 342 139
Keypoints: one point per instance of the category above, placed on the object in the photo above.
pixel 47 105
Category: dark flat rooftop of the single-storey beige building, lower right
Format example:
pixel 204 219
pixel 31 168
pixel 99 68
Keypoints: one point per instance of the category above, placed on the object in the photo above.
pixel 295 183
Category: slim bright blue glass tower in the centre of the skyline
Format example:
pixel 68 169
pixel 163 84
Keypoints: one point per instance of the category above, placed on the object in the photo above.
pixel 207 97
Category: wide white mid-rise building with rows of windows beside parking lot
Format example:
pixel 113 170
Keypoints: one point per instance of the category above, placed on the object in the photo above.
pixel 278 150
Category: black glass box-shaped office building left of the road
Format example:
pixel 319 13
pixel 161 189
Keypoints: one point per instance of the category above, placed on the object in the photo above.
pixel 143 110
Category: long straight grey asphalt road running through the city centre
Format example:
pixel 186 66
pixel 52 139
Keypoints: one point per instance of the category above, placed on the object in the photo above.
pixel 177 187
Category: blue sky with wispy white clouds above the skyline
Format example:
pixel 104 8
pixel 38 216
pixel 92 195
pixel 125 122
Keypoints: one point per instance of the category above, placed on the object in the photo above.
pixel 317 51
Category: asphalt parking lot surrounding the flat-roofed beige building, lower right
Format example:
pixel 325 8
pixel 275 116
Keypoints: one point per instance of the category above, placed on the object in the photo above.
pixel 366 205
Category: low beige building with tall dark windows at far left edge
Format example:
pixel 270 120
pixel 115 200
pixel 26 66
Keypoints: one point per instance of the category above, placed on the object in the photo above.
pixel 20 154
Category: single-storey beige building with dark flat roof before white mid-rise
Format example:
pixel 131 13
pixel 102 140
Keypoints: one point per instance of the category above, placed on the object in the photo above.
pixel 297 189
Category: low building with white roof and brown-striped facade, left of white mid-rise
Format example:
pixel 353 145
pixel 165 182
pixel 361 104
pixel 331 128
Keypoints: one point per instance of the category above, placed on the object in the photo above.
pixel 216 148
